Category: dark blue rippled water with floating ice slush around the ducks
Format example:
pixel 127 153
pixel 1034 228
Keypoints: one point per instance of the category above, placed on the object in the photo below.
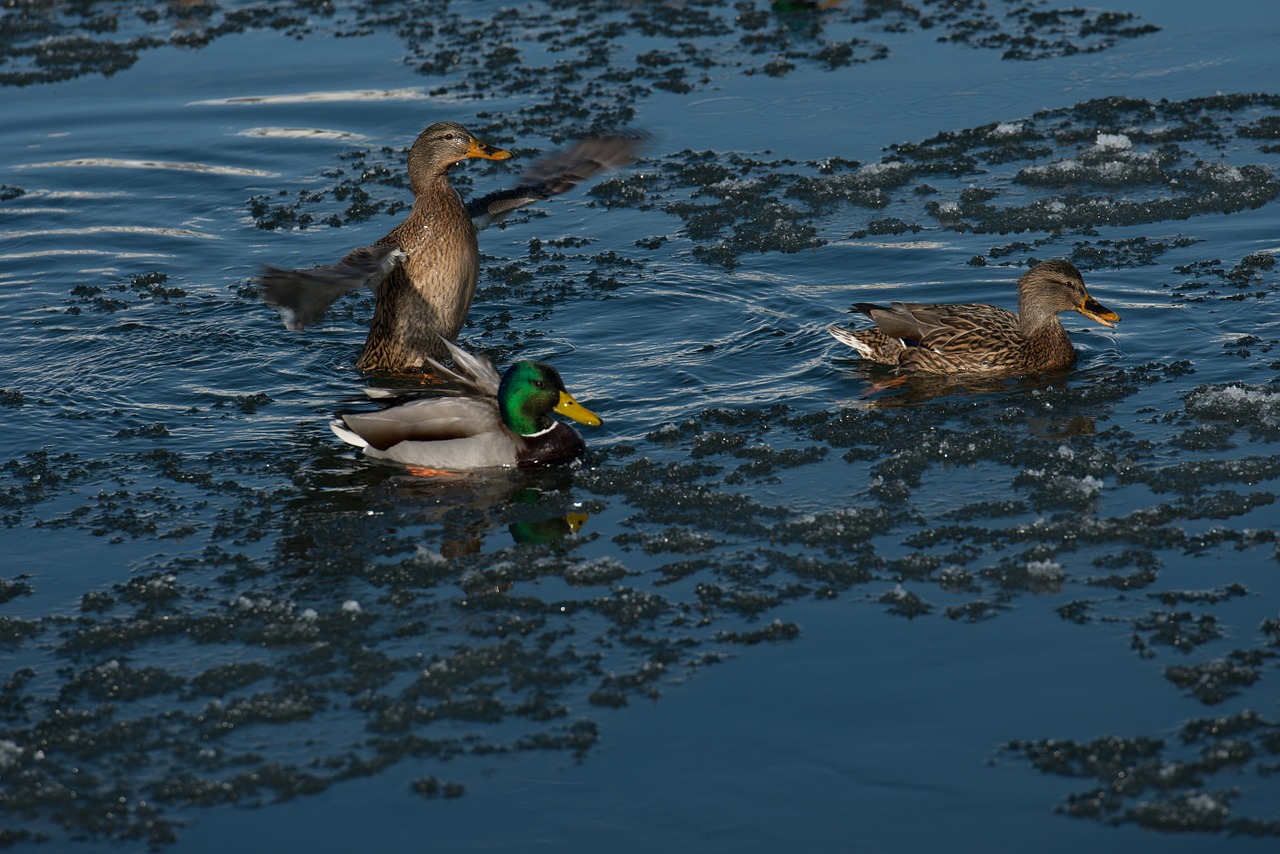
pixel 798 615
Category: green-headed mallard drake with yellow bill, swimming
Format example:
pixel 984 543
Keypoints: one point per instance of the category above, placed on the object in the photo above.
pixel 491 423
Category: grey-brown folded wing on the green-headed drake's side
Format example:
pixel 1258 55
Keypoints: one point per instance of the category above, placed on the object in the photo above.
pixel 438 419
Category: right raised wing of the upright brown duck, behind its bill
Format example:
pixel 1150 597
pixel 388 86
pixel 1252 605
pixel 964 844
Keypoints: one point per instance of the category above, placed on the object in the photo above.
pixel 559 173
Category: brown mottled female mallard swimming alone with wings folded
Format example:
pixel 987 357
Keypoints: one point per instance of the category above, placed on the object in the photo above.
pixel 975 339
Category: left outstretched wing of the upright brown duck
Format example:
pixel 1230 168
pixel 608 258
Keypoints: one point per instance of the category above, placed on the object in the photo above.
pixel 304 296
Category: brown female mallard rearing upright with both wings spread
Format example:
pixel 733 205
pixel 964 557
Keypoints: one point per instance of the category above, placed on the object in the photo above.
pixel 424 272
